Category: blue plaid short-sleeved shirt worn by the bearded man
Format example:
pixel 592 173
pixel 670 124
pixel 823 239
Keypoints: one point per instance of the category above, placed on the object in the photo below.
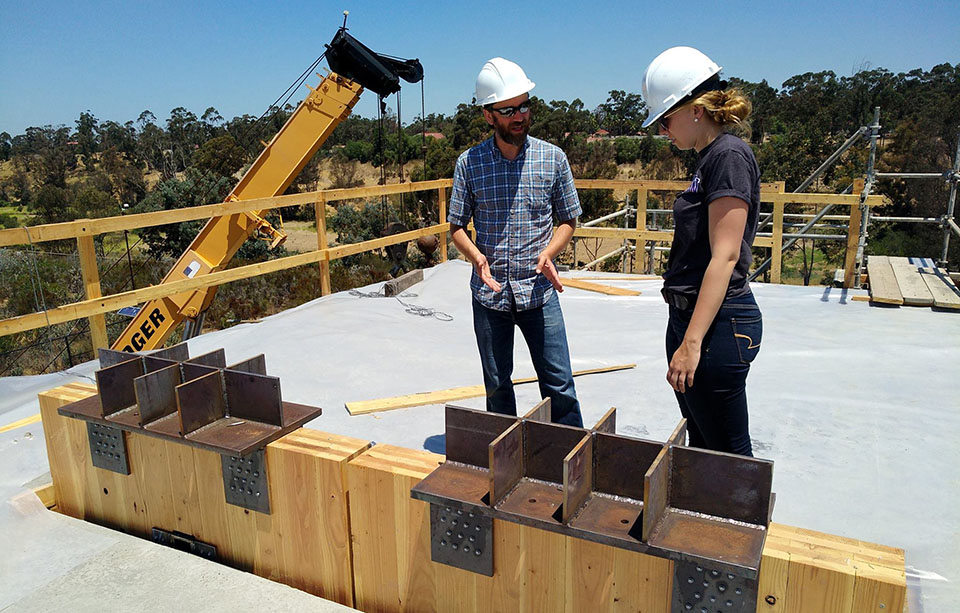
pixel 513 203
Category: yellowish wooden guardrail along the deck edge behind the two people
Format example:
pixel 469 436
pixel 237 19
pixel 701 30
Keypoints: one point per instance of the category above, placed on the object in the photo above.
pixel 95 305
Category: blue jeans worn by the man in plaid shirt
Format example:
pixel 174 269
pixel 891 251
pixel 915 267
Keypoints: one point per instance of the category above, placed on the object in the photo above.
pixel 546 337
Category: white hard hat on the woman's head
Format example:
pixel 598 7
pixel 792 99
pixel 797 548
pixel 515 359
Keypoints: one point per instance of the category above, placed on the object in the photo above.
pixel 672 76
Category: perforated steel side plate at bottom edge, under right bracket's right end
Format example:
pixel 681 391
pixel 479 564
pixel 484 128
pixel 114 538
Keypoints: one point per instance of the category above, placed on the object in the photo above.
pixel 702 589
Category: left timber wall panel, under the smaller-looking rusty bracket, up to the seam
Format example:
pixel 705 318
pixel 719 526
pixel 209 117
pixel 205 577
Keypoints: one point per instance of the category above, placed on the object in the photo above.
pixel 304 542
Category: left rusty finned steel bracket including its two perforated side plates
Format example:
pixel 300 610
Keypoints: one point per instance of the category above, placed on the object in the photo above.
pixel 232 410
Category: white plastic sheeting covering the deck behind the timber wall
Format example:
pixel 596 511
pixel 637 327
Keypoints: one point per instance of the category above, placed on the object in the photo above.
pixel 857 405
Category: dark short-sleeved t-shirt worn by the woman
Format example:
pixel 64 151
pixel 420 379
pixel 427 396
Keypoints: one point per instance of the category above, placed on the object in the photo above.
pixel 726 168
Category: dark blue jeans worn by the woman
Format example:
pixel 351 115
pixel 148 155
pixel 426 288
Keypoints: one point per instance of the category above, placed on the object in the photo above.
pixel 716 404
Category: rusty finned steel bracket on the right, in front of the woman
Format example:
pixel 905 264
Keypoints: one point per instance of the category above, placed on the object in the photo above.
pixel 659 498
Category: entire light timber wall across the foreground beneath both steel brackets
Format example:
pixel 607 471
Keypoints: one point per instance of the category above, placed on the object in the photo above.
pixel 344 527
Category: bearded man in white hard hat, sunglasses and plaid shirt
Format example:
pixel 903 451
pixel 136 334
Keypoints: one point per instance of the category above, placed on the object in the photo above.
pixel 512 186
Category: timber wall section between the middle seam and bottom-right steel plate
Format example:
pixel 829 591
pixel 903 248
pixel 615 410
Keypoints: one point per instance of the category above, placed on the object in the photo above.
pixel 534 570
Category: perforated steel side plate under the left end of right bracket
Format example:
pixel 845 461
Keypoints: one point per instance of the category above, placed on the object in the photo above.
pixel 461 537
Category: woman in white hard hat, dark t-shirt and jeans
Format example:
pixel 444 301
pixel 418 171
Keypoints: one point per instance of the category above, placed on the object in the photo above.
pixel 715 325
